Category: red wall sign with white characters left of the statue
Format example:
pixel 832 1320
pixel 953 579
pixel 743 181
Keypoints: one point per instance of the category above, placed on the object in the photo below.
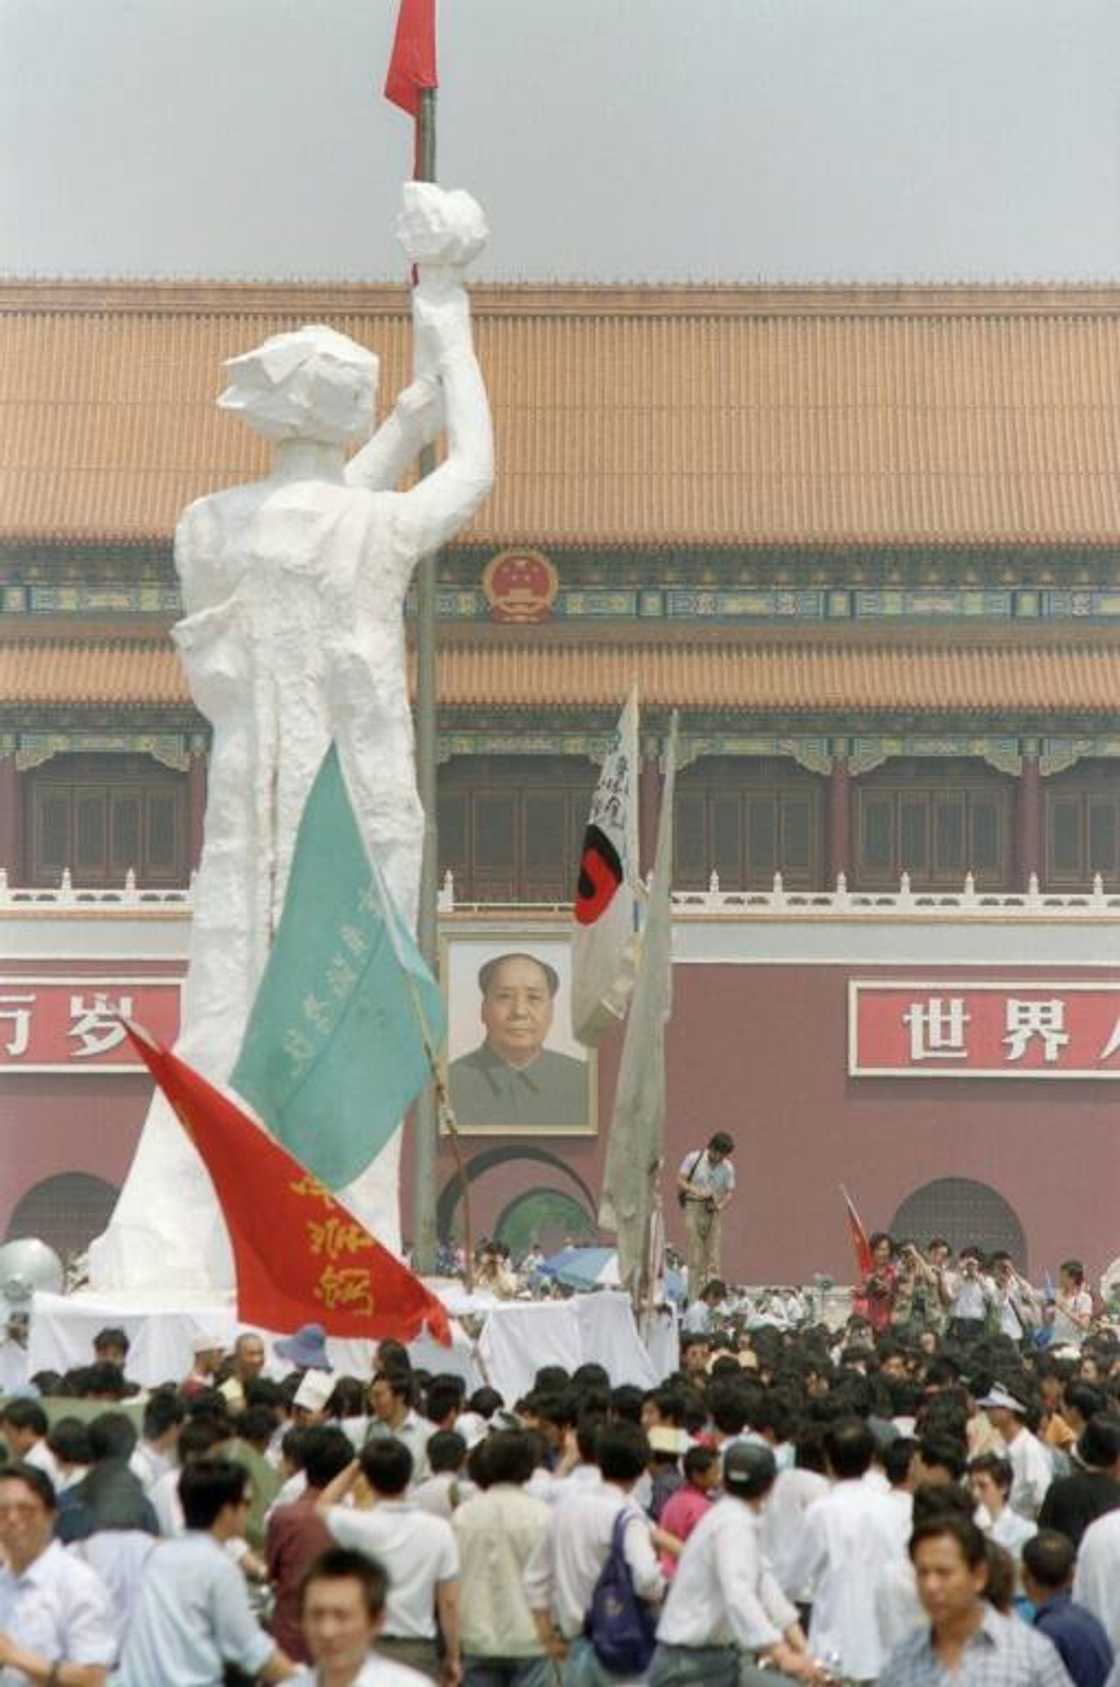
pixel 72 1025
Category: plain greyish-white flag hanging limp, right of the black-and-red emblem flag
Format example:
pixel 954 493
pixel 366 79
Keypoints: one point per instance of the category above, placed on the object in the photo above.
pixel 637 1143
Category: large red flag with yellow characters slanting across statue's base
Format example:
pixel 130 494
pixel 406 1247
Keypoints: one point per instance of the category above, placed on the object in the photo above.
pixel 299 1254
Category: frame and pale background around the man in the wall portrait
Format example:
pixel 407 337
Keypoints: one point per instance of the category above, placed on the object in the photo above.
pixel 461 957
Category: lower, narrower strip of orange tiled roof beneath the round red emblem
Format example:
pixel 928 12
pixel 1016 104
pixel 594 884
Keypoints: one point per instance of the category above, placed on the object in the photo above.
pixel 780 677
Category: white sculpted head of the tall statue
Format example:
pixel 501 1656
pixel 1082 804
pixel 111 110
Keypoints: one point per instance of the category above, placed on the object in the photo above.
pixel 313 384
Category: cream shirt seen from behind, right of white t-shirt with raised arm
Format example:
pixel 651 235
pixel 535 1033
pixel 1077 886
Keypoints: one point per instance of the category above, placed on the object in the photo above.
pixel 497 1534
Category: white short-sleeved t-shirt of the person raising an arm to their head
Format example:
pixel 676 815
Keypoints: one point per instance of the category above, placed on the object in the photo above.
pixel 417 1550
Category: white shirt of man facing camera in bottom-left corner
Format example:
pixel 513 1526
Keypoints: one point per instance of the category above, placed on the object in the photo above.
pixel 60 1610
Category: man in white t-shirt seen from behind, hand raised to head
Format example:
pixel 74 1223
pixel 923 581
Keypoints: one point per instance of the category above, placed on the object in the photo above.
pixel 419 1548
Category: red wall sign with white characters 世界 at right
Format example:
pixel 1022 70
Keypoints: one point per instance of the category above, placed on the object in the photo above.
pixel 935 1028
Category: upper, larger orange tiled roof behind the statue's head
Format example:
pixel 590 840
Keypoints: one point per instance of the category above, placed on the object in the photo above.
pixel 726 418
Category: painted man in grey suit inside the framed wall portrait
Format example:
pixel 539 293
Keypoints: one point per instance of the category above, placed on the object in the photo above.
pixel 512 1081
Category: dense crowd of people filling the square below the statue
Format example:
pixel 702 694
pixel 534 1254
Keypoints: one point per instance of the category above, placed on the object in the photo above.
pixel 929 1492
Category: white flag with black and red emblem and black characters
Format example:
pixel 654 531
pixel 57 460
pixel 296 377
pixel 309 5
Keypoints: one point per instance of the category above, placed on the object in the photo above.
pixel 605 944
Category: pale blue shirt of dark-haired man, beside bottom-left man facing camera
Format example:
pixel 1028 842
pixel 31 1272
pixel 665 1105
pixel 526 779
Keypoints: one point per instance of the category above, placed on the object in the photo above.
pixel 191 1617
